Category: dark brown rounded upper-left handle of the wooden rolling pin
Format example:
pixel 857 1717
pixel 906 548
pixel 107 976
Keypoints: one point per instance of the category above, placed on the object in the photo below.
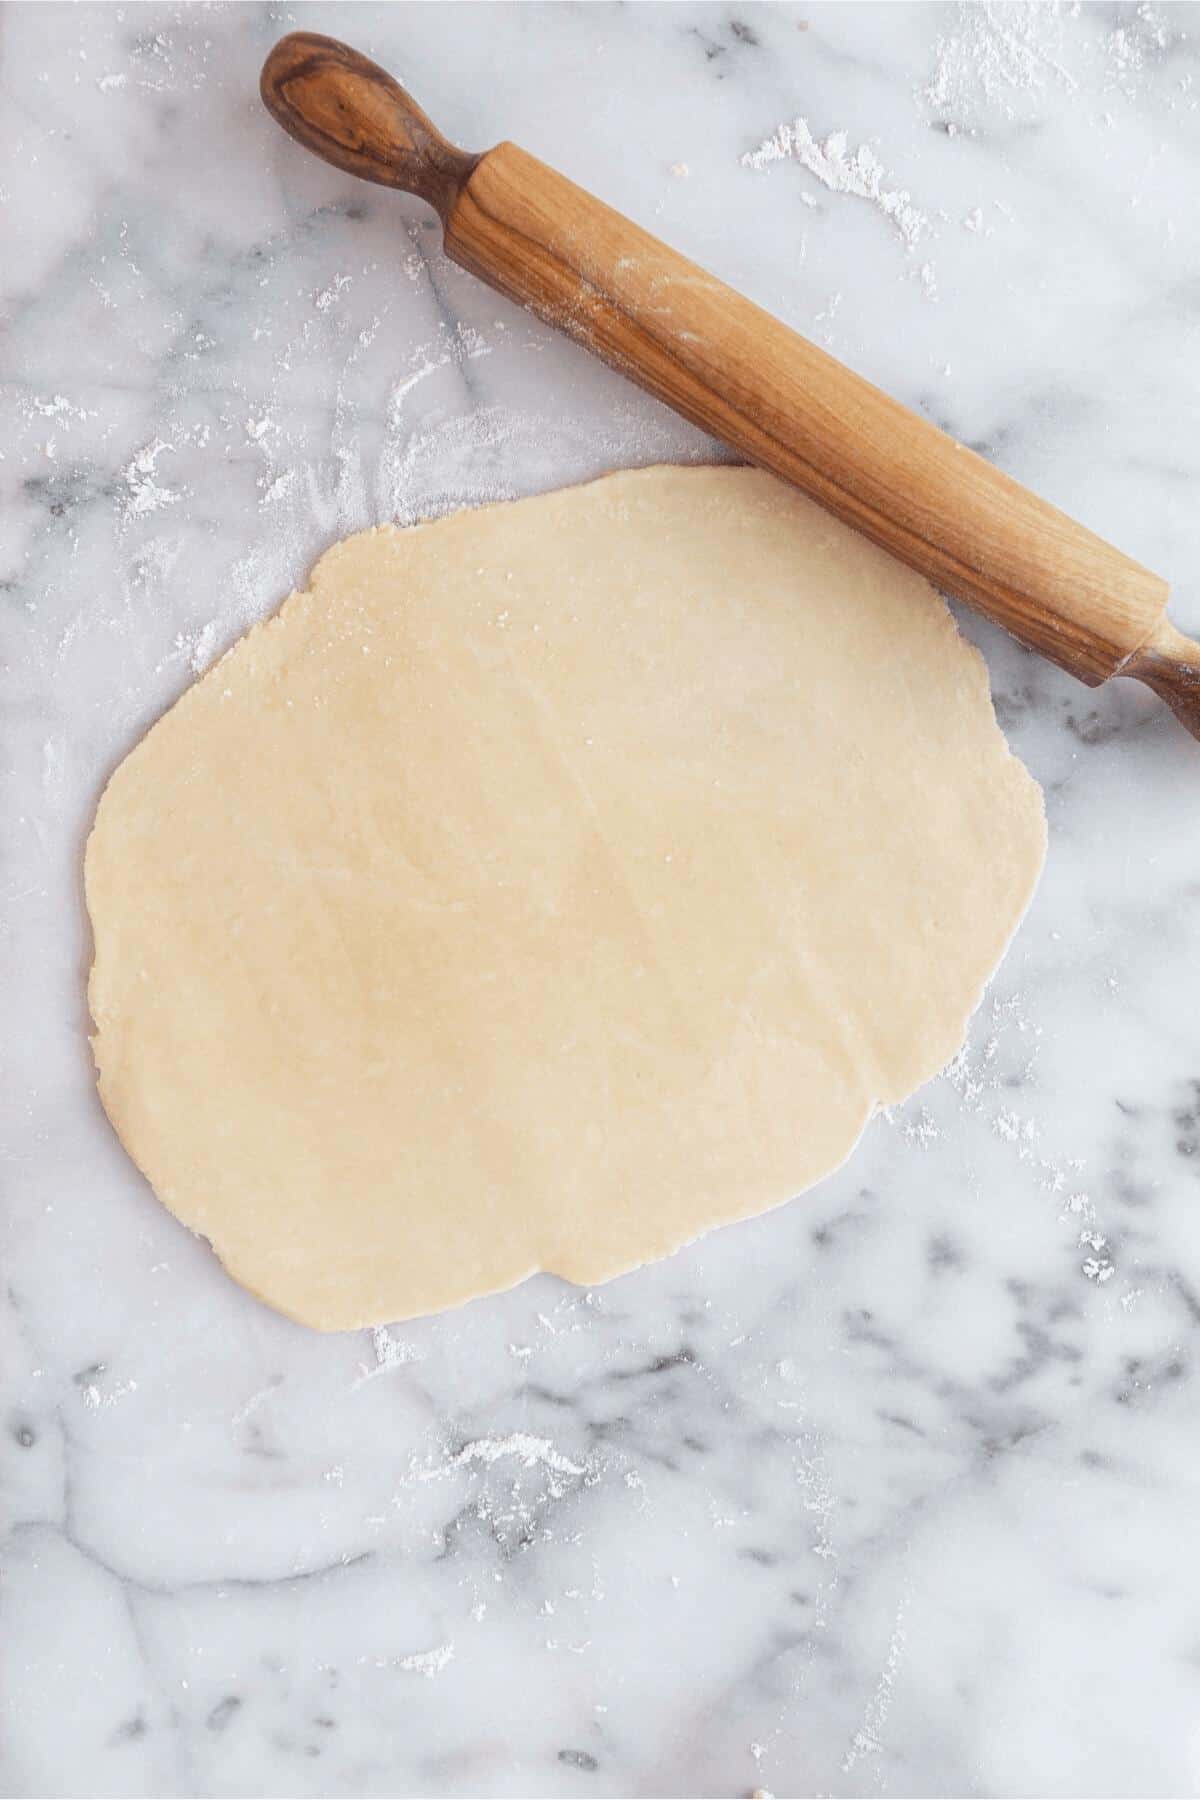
pixel 355 116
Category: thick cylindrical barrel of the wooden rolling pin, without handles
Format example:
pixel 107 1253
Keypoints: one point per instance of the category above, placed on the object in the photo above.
pixel 787 406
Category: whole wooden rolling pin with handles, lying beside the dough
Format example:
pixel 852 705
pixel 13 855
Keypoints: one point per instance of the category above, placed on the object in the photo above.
pixel 742 375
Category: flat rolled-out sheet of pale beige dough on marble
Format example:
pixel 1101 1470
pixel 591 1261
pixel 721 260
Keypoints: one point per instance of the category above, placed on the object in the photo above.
pixel 544 886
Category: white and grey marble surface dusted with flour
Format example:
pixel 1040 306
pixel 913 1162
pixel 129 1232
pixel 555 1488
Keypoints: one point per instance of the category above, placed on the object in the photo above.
pixel 893 1491
